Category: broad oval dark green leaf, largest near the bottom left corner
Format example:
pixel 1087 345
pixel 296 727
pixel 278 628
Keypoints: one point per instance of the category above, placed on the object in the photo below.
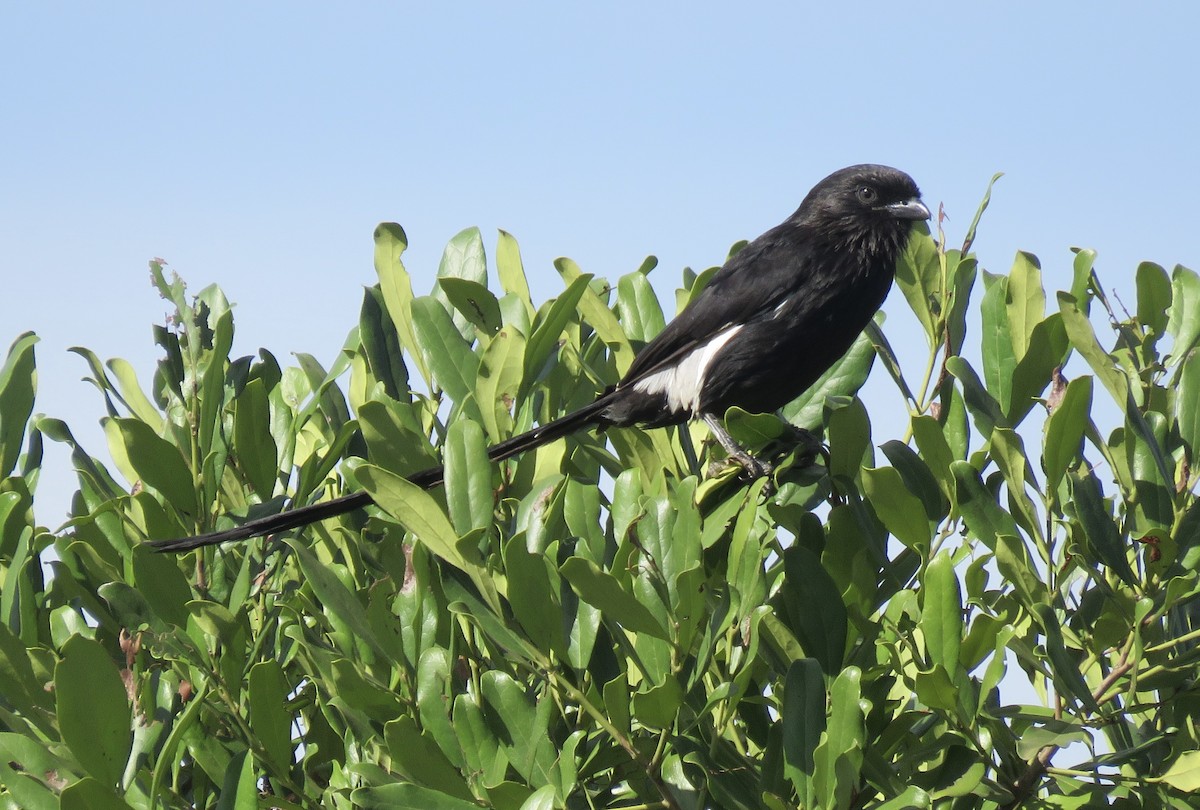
pixel 94 710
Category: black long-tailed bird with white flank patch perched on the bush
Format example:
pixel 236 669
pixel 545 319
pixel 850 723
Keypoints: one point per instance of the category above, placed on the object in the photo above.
pixel 771 322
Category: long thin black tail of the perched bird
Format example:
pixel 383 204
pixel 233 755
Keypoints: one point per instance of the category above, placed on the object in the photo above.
pixel 427 479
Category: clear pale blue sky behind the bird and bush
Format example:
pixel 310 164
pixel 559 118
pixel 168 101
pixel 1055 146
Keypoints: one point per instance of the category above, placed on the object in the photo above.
pixel 259 147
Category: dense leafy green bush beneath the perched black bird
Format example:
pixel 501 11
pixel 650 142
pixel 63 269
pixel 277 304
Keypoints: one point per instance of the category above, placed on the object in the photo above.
pixel 603 623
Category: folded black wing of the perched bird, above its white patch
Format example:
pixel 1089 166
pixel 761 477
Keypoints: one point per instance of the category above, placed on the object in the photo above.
pixel 751 285
